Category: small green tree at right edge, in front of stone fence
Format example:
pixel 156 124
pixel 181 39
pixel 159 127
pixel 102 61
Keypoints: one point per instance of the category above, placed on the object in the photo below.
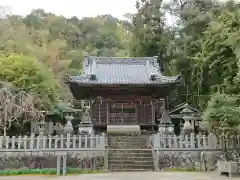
pixel 222 117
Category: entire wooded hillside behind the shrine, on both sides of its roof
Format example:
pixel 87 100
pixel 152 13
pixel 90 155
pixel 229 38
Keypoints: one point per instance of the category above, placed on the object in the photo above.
pixel 202 44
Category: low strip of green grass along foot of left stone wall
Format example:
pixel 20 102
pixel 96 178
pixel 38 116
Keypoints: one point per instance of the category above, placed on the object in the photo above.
pixel 48 171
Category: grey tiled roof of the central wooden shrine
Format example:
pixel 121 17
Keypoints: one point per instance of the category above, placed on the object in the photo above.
pixel 122 71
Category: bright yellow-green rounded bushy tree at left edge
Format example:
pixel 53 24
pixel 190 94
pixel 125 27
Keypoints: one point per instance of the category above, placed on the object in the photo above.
pixel 29 75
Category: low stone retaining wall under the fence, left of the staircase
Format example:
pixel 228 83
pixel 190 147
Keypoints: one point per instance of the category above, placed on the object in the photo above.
pixel 84 160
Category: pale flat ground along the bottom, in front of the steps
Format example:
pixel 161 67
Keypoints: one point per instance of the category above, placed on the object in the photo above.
pixel 131 176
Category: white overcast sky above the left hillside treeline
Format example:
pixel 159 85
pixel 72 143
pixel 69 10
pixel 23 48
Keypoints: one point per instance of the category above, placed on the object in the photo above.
pixel 68 8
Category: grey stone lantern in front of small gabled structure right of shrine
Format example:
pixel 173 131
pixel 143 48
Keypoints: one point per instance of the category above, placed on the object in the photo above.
pixel 188 126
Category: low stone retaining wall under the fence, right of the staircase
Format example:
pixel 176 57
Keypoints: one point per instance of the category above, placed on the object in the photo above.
pixel 202 161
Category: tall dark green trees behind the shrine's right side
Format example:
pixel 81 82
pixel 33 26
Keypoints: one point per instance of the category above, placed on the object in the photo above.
pixel 202 45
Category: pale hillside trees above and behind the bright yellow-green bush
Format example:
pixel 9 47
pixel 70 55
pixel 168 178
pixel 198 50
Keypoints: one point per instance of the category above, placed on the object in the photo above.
pixel 60 43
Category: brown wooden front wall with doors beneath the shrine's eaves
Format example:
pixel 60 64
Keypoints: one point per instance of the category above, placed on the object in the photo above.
pixel 112 112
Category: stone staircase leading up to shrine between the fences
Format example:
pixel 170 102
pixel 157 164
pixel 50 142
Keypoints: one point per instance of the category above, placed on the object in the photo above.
pixel 129 153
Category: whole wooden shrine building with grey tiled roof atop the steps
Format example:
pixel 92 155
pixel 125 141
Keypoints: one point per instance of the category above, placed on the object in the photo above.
pixel 122 91
